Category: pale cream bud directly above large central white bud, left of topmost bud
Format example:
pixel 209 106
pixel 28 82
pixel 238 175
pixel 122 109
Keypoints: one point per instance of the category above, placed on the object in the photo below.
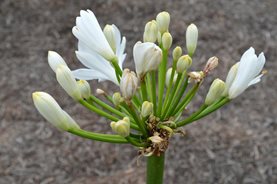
pixel 150 32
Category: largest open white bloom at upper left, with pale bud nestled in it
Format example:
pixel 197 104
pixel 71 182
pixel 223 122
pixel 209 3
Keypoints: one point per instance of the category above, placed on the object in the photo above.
pixel 96 50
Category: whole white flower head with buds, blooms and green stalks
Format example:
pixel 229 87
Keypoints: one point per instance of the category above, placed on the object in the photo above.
pixel 147 110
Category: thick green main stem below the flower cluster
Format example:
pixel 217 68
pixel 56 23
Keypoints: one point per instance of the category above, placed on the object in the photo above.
pixel 155 169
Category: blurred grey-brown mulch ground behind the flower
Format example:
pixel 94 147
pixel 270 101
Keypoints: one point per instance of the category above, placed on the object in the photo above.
pixel 237 144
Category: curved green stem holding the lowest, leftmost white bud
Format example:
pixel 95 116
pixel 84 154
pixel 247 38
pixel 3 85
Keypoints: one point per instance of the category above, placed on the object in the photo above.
pixel 99 137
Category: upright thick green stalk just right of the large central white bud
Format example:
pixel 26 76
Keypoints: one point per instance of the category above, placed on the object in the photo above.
pixel 162 71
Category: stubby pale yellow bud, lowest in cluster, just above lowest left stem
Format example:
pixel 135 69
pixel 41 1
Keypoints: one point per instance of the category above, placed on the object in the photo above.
pixel 121 127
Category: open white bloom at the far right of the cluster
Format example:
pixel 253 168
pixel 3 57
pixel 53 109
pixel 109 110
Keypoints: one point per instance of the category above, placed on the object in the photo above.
pixel 246 74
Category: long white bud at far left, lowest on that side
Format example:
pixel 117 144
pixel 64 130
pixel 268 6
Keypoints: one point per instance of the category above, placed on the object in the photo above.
pixel 52 112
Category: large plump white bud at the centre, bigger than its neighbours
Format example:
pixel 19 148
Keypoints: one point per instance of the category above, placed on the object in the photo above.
pixel 147 57
